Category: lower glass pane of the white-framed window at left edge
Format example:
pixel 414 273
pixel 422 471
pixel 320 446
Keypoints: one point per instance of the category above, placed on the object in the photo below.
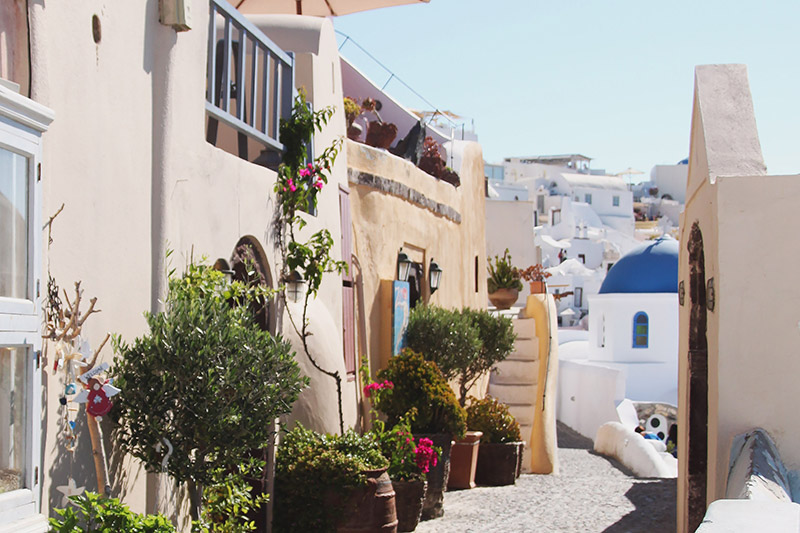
pixel 13 415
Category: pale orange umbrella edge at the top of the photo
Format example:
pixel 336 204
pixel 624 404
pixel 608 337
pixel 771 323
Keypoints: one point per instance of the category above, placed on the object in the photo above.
pixel 317 8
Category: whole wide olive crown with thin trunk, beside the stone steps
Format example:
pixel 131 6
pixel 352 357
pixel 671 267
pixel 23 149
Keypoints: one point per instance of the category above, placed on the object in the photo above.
pixel 464 344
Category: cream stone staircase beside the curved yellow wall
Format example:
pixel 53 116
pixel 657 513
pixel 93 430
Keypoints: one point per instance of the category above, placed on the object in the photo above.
pixel 514 381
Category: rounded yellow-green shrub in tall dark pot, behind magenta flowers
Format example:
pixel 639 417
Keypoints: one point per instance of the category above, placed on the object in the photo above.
pixel 418 383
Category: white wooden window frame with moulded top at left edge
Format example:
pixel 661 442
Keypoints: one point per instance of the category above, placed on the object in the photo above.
pixel 22 122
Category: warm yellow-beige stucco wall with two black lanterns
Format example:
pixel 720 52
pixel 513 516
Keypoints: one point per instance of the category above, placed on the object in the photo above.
pixel 382 223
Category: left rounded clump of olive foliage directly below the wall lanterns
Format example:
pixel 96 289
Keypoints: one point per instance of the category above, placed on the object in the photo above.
pixel 443 336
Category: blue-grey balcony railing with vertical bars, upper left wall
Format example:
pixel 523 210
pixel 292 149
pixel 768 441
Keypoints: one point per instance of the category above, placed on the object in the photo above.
pixel 249 80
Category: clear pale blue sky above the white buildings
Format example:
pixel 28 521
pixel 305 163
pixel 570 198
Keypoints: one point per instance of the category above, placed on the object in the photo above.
pixel 612 80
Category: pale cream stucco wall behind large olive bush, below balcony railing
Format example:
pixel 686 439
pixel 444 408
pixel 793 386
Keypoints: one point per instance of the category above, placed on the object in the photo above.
pixel 127 156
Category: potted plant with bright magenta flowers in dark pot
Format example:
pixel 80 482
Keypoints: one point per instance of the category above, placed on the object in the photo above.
pixel 410 460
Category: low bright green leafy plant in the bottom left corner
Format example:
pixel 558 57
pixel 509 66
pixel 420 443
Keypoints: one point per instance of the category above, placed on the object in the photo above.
pixel 93 513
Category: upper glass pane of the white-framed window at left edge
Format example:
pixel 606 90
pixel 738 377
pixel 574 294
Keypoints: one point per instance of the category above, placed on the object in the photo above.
pixel 14 218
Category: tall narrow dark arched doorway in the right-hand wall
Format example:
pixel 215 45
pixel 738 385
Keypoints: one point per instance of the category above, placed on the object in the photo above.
pixel 697 432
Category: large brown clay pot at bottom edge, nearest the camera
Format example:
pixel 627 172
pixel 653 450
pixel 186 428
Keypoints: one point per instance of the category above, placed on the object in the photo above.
pixel 371 509
